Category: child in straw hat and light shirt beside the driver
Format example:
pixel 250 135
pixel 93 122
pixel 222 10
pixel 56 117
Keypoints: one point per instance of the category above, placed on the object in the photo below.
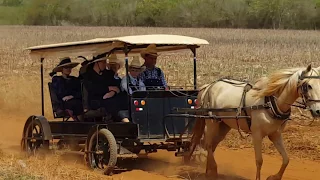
pixel 135 84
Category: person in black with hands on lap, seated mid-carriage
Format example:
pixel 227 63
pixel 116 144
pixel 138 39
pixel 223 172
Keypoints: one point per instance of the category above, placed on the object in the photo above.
pixel 102 89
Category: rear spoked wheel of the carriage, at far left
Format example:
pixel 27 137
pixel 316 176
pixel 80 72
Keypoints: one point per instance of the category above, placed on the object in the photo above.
pixel 33 138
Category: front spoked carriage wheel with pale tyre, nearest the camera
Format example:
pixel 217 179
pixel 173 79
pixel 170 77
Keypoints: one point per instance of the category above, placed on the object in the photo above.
pixel 102 151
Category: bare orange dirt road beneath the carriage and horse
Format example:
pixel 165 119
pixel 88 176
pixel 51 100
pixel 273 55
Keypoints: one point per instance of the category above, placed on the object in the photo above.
pixel 232 164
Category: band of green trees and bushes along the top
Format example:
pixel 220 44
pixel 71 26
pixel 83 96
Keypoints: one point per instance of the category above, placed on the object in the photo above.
pixel 277 14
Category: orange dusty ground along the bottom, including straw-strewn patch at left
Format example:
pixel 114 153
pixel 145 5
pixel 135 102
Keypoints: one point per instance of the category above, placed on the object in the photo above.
pixel 235 163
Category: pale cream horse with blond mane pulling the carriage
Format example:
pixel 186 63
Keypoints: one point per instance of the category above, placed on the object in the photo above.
pixel 282 89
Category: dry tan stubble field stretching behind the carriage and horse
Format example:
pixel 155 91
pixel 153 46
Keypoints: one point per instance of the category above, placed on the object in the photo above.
pixel 242 54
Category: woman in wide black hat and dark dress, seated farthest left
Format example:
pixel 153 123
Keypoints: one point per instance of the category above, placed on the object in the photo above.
pixel 67 87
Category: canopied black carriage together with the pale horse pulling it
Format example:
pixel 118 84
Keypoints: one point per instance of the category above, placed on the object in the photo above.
pixel 157 116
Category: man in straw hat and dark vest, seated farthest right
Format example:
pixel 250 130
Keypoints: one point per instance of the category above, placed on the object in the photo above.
pixel 152 76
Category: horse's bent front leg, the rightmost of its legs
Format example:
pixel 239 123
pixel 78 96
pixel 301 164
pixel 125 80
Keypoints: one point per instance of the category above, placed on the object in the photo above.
pixel 277 140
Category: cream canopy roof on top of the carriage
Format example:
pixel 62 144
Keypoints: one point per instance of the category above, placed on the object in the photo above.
pixel 137 43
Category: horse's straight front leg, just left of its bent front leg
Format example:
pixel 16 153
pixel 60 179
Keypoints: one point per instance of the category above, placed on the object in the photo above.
pixel 257 143
